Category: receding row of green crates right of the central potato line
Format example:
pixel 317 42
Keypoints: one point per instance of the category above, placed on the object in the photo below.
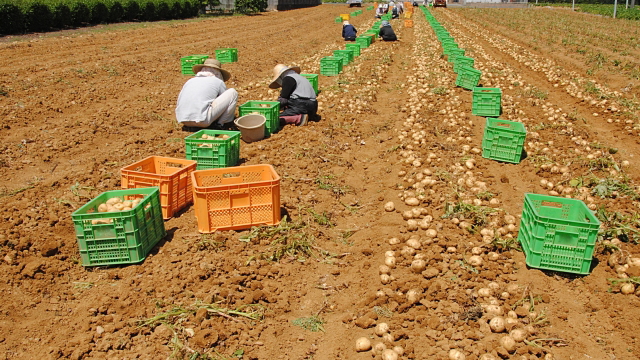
pixel 556 233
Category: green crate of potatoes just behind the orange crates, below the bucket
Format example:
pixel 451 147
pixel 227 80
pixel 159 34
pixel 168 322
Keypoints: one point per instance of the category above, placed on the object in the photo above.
pixel 213 154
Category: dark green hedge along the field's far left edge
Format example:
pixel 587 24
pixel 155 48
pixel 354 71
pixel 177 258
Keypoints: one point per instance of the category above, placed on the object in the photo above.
pixel 47 15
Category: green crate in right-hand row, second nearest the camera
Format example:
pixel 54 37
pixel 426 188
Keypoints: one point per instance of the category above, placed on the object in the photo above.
pixel 503 140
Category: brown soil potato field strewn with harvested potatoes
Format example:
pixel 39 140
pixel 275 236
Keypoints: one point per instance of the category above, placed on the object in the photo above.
pixel 397 238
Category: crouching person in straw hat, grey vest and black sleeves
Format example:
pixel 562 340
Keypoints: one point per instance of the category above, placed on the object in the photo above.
pixel 297 97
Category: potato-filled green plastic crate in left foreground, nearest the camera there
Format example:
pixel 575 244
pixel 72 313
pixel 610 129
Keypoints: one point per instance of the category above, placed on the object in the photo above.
pixel 122 237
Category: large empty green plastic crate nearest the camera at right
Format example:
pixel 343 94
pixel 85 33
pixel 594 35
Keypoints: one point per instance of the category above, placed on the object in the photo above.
pixel 557 233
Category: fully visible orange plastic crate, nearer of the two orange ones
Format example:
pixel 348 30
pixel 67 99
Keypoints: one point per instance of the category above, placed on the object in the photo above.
pixel 236 198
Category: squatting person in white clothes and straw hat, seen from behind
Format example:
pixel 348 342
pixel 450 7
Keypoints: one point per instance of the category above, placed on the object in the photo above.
pixel 204 100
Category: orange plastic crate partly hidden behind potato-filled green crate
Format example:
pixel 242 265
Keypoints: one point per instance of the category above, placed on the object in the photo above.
pixel 172 176
